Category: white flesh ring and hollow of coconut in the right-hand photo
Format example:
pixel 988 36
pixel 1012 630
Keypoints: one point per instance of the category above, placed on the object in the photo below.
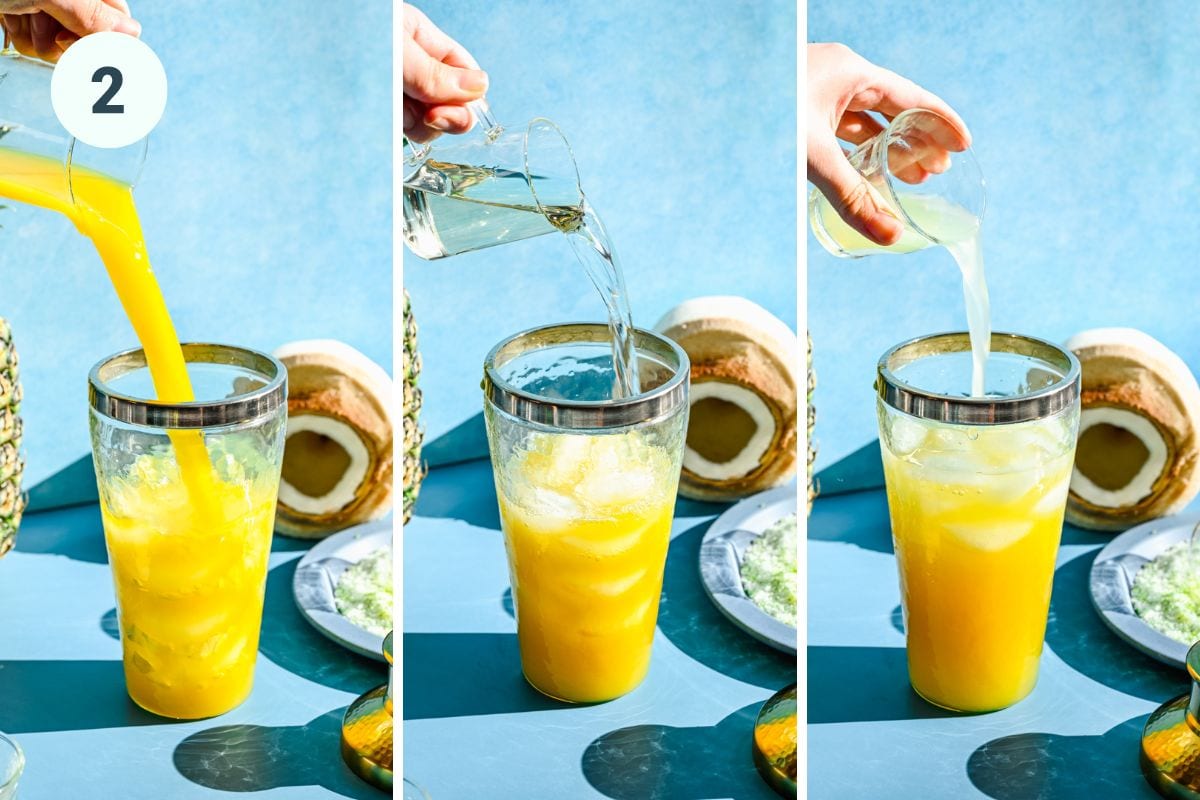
pixel 1119 458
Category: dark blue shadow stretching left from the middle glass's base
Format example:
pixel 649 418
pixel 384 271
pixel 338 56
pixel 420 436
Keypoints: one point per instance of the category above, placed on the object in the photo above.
pixel 467 675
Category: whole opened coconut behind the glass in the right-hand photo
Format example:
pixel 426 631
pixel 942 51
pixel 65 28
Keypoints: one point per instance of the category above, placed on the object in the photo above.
pixel 1138 458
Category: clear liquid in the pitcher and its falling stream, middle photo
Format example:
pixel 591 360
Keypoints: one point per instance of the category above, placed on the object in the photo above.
pixel 458 208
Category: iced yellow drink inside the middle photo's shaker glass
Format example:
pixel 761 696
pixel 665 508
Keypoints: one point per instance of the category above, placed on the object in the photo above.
pixel 587 522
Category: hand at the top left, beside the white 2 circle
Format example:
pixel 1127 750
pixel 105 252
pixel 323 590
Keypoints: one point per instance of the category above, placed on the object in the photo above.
pixel 44 29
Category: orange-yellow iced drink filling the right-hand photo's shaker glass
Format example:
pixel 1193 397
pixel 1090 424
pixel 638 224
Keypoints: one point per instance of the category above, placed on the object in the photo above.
pixel 976 518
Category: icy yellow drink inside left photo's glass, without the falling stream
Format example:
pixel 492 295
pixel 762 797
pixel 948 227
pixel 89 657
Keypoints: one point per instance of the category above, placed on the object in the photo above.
pixel 189 582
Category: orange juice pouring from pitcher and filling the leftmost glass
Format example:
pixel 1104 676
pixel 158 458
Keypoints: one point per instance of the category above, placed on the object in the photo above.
pixel 188 546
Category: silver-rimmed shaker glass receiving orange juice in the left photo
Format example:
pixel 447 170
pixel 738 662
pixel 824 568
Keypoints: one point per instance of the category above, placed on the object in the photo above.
pixel 188 498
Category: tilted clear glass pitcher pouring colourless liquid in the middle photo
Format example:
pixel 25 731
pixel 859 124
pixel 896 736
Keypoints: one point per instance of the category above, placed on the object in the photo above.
pixel 491 189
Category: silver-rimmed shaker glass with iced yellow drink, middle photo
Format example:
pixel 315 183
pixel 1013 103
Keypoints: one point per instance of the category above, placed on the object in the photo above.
pixel 586 488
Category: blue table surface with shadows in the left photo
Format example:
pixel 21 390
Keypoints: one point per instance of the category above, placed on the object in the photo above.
pixel 63 691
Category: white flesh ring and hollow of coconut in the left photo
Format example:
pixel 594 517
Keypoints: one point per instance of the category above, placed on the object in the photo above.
pixel 325 465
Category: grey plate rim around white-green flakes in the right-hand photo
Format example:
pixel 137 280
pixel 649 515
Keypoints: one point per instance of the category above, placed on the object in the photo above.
pixel 1112 582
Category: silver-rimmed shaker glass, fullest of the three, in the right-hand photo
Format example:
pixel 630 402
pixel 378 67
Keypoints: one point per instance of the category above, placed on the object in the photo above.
pixel 977 488
